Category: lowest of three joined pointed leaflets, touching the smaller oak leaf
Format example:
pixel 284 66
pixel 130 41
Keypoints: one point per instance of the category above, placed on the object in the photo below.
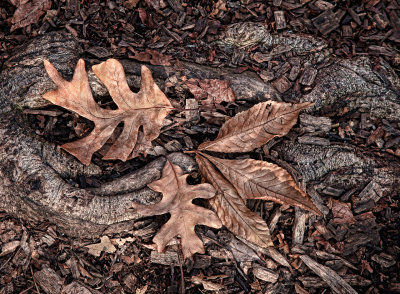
pixel 232 209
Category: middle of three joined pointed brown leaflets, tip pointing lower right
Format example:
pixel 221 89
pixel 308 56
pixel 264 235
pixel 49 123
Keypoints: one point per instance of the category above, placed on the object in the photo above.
pixel 255 179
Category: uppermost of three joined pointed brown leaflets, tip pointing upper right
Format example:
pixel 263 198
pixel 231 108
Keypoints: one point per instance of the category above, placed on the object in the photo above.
pixel 254 127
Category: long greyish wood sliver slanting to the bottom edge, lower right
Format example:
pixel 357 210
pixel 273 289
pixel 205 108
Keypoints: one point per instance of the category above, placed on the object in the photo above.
pixel 334 281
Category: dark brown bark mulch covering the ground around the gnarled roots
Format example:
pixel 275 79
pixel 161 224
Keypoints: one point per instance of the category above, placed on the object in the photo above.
pixel 356 243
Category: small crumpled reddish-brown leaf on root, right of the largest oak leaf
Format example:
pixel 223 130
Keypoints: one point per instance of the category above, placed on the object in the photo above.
pixel 211 91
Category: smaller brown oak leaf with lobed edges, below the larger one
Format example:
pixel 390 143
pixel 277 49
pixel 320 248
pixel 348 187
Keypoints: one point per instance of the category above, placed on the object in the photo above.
pixel 177 200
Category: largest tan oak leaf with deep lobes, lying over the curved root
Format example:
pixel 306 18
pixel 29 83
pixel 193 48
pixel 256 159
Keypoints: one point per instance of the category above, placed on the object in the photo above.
pixel 147 108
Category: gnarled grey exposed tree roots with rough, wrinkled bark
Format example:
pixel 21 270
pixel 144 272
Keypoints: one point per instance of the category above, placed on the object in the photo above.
pixel 34 173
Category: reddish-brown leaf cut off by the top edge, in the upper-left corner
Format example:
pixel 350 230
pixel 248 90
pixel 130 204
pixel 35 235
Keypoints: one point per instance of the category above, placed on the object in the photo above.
pixel 28 12
